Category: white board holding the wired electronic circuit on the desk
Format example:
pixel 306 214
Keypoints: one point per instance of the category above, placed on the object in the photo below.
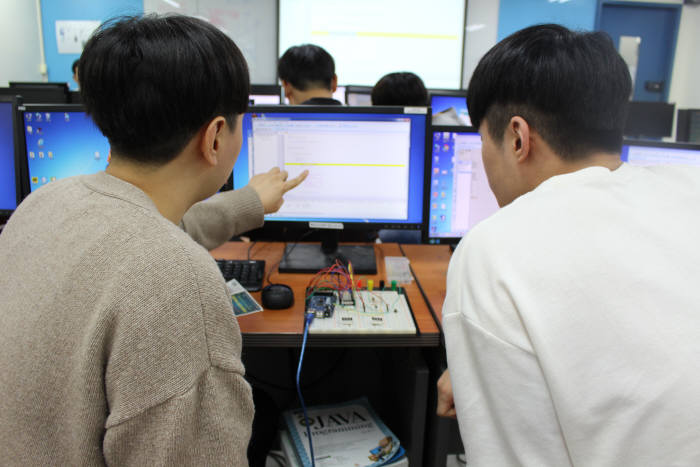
pixel 384 312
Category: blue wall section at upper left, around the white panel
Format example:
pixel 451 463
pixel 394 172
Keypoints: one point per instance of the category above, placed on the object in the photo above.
pixel 59 65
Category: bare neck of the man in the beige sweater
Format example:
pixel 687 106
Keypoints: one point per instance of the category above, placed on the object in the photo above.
pixel 172 193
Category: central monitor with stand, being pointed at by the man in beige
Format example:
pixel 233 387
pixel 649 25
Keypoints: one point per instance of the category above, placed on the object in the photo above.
pixel 366 171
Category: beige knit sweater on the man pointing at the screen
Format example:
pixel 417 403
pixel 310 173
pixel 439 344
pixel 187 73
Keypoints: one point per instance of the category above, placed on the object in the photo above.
pixel 118 344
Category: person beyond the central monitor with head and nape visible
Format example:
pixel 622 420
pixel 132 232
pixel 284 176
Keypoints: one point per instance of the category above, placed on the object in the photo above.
pixel 308 75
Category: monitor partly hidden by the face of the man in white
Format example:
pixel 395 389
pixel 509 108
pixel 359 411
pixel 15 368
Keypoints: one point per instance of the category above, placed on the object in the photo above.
pixel 459 196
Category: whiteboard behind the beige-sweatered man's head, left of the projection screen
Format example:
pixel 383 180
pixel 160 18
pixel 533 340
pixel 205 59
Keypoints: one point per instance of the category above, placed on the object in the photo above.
pixel 252 24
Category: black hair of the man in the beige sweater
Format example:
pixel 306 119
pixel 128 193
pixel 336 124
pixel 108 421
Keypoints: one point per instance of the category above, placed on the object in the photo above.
pixel 151 82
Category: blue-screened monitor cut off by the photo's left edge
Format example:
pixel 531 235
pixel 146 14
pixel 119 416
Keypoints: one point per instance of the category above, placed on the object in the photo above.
pixel 8 167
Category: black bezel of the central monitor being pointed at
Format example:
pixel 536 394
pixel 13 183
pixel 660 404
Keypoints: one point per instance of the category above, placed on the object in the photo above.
pixel 396 110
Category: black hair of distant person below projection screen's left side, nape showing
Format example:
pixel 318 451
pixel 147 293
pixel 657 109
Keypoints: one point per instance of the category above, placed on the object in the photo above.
pixel 307 67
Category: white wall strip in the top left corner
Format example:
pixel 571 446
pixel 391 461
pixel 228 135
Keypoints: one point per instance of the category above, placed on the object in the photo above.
pixel 18 25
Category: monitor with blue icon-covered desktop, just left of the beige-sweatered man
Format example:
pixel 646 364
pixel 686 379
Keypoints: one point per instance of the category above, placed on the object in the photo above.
pixel 58 141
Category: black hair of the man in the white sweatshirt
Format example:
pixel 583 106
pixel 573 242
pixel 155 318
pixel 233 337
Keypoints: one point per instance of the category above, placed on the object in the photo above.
pixel 571 87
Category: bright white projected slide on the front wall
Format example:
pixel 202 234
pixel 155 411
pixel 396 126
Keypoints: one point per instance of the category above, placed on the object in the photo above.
pixel 370 38
